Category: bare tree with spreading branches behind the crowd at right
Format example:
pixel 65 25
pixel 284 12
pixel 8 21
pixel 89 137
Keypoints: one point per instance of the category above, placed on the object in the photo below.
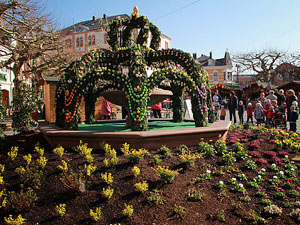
pixel 262 62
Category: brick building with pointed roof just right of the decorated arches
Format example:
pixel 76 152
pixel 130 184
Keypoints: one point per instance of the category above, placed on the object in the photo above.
pixel 218 70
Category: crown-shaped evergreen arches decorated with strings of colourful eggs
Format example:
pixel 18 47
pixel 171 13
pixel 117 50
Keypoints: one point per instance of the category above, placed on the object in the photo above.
pixel 101 69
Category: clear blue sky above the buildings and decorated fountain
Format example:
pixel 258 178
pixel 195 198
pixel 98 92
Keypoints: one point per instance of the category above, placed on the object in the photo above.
pixel 201 26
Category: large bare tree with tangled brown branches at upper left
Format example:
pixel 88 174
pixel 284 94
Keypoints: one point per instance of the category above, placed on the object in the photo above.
pixel 31 43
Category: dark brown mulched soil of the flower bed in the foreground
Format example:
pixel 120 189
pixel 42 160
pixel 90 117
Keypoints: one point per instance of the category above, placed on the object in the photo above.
pixel 216 206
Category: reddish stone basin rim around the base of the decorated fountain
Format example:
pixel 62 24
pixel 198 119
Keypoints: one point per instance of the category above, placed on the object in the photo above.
pixel 137 139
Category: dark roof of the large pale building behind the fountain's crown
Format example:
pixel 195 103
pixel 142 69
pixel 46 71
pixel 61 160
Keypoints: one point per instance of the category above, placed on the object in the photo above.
pixel 93 24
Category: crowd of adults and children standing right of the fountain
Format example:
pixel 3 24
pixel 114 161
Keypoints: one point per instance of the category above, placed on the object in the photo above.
pixel 276 109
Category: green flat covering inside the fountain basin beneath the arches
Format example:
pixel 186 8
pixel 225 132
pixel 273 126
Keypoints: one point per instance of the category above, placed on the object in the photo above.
pixel 121 127
